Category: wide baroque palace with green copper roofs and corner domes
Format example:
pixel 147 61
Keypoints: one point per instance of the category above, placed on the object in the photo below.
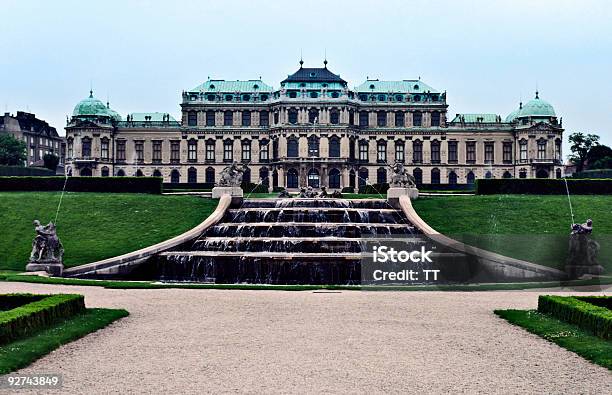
pixel 315 130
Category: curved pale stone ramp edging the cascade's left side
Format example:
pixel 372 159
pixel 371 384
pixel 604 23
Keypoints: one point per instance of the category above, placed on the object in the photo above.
pixel 123 264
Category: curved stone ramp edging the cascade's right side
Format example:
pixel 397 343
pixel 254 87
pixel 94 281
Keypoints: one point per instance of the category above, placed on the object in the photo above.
pixel 500 266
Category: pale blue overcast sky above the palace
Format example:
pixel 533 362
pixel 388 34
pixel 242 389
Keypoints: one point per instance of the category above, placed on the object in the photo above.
pixel 487 55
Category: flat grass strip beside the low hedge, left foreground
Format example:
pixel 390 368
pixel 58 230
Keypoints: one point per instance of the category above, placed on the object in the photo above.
pixel 21 353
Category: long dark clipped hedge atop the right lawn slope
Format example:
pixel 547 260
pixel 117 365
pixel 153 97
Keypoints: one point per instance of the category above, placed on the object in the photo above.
pixel 543 186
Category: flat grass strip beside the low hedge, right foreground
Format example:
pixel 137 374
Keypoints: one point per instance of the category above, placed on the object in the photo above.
pixel 565 335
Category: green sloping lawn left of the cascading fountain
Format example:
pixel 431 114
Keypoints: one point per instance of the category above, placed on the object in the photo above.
pixel 94 226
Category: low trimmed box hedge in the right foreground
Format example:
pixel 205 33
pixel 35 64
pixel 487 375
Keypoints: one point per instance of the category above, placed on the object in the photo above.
pixel 588 316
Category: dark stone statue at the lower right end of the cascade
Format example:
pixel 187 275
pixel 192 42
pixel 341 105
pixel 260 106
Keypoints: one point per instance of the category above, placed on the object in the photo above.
pixel 583 250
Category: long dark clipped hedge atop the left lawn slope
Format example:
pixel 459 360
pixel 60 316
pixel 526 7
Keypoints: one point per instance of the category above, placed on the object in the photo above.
pixel 83 184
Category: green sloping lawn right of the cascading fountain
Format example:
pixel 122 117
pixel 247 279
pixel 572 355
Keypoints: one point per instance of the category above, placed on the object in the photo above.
pixel 534 228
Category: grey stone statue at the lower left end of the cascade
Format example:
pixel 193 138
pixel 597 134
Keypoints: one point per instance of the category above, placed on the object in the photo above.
pixel 47 250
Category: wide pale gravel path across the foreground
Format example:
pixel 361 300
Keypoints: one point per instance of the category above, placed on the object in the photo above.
pixel 194 341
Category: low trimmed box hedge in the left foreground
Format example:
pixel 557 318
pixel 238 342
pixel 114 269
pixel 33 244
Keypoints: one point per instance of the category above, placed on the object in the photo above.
pixel 27 319
